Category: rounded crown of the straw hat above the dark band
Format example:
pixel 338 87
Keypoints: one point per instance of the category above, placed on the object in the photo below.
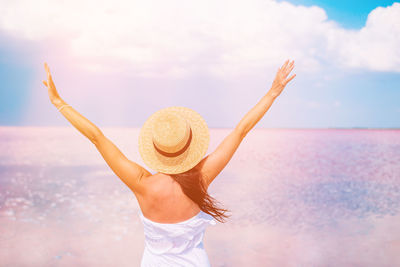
pixel 171 132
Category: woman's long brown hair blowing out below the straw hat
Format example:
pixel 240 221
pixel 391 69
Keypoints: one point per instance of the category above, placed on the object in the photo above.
pixel 193 185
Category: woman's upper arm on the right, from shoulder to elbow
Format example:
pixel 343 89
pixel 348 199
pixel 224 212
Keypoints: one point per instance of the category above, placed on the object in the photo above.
pixel 215 162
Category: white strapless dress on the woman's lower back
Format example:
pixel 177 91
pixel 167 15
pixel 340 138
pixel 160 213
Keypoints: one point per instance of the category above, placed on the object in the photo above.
pixel 176 244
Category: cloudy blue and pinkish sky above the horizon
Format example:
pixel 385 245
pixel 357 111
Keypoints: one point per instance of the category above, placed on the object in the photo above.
pixel 117 62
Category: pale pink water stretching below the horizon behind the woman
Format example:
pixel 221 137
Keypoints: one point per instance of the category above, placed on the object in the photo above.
pixel 313 197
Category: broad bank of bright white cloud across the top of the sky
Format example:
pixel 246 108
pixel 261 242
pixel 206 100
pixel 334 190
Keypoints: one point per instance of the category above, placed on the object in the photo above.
pixel 225 38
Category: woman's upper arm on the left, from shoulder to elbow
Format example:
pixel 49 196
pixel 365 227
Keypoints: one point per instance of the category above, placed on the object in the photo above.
pixel 128 171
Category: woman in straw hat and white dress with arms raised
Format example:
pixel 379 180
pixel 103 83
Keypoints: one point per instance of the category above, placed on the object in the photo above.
pixel 175 208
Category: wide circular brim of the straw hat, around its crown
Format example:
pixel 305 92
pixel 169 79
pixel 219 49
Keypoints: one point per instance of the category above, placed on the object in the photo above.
pixel 185 161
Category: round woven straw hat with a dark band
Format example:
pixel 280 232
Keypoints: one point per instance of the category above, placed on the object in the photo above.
pixel 173 140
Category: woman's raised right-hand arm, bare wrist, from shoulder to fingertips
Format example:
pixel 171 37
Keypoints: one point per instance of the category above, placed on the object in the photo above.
pixel 215 162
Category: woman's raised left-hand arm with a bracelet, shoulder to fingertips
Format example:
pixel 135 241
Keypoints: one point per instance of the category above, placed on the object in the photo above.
pixel 128 171
